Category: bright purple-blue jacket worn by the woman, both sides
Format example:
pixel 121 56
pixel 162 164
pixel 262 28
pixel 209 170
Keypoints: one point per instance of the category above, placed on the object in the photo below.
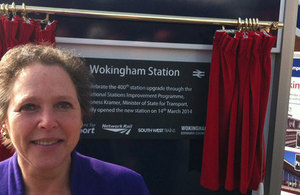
pixel 89 176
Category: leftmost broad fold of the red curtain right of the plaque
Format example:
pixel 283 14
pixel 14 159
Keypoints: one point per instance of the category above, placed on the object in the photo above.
pixel 210 179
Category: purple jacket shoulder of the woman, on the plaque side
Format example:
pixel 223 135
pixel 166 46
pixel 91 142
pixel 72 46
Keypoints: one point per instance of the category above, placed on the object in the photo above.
pixel 105 177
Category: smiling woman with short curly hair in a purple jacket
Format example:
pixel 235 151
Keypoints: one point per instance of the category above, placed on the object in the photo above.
pixel 43 101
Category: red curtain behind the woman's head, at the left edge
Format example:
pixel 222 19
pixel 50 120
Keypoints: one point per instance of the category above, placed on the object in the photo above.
pixel 18 31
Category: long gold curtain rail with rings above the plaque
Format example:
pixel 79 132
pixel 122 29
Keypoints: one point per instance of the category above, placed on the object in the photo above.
pixel 142 17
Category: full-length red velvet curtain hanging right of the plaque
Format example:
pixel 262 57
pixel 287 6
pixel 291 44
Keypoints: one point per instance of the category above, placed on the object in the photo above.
pixel 233 151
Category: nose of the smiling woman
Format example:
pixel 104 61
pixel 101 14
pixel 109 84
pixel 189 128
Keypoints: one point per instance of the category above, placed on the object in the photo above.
pixel 47 119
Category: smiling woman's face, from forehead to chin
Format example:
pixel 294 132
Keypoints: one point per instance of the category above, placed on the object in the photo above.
pixel 44 116
